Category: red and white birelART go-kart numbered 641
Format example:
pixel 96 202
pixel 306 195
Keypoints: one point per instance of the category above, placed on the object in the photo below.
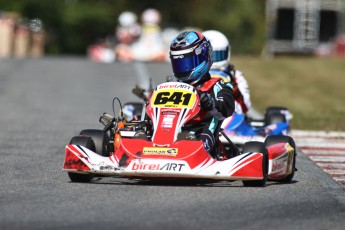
pixel 160 146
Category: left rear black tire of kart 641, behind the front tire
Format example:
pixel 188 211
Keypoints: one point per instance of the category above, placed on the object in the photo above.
pixel 100 138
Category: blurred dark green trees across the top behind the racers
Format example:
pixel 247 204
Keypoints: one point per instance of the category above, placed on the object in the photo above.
pixel 74 24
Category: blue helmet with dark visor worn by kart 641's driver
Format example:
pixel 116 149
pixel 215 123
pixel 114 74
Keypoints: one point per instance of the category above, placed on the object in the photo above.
pixel 191 56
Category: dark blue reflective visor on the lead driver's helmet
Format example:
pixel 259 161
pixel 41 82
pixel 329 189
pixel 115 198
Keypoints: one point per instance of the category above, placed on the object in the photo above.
pixel 185 63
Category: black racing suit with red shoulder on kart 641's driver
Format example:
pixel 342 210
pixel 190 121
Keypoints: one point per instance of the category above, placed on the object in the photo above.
pixel 210 119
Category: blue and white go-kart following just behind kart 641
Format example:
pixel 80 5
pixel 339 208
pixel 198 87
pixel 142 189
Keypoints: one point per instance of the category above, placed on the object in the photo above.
pixel 240 129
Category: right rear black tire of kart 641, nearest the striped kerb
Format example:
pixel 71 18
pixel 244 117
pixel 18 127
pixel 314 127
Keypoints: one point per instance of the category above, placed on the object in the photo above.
pixel 274 139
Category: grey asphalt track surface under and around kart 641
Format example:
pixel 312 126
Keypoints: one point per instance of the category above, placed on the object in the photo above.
pixel 44 102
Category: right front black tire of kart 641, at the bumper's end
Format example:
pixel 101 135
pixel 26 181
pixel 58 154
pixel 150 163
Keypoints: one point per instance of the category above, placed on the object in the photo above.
pixel 256 146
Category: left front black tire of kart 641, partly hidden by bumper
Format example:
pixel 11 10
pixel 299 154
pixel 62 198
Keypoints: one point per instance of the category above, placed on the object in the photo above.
pixel 86 142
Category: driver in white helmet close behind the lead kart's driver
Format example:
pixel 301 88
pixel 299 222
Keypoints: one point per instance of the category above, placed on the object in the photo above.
pixel 222 68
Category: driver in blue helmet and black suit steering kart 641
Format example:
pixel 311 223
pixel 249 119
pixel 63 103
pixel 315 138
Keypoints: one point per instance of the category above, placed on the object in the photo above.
pixel 191 59
